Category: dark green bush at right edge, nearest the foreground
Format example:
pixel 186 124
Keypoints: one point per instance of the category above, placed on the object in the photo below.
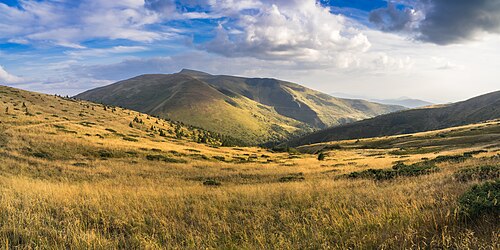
pixel 481 199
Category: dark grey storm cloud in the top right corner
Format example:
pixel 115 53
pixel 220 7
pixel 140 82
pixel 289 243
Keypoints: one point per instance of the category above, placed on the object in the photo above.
pixel 441 22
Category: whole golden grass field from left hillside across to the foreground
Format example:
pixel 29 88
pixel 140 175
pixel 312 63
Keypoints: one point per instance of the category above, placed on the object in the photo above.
pixel 67 182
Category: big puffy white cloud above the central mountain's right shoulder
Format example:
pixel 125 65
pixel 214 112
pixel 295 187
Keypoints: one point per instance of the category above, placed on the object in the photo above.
pixel 284 30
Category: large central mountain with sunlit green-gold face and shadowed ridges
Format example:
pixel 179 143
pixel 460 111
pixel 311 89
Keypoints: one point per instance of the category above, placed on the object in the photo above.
pixel 252 109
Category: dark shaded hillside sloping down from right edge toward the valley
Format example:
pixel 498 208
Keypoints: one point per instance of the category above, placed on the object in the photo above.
pixel 481 108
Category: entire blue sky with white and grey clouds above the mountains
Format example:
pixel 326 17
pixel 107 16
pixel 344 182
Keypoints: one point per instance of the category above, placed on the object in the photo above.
pixel 436 50
